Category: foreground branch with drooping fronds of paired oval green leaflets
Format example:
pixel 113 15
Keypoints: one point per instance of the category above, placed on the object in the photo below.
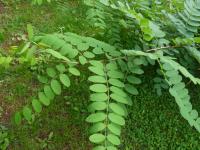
pixel 110 82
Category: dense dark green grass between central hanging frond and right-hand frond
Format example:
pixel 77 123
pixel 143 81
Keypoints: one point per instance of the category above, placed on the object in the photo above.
pixel 155 123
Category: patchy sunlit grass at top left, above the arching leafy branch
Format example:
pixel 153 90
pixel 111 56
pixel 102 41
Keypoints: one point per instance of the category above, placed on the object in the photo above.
pixel 66 16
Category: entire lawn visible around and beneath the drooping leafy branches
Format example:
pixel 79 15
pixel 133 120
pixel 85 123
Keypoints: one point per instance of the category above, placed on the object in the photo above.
pixel 153 122
